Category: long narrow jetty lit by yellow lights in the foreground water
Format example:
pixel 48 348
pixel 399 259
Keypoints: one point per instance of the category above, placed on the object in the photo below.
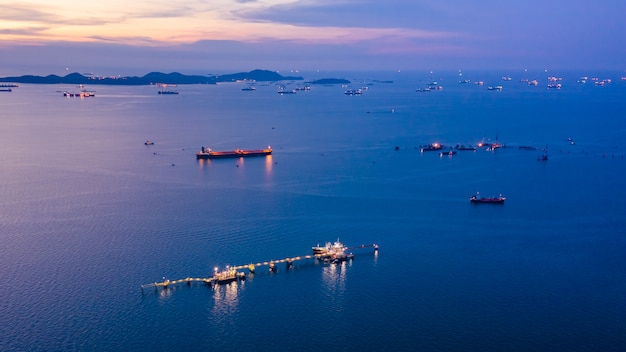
pixel 330 253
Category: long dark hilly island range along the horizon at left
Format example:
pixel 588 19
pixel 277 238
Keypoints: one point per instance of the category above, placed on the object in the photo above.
pixel 151 78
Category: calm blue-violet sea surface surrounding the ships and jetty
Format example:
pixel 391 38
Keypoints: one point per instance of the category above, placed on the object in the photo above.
pixel 89 213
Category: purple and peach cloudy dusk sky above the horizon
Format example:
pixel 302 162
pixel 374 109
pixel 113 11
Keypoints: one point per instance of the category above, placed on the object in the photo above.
pixel 224 36
